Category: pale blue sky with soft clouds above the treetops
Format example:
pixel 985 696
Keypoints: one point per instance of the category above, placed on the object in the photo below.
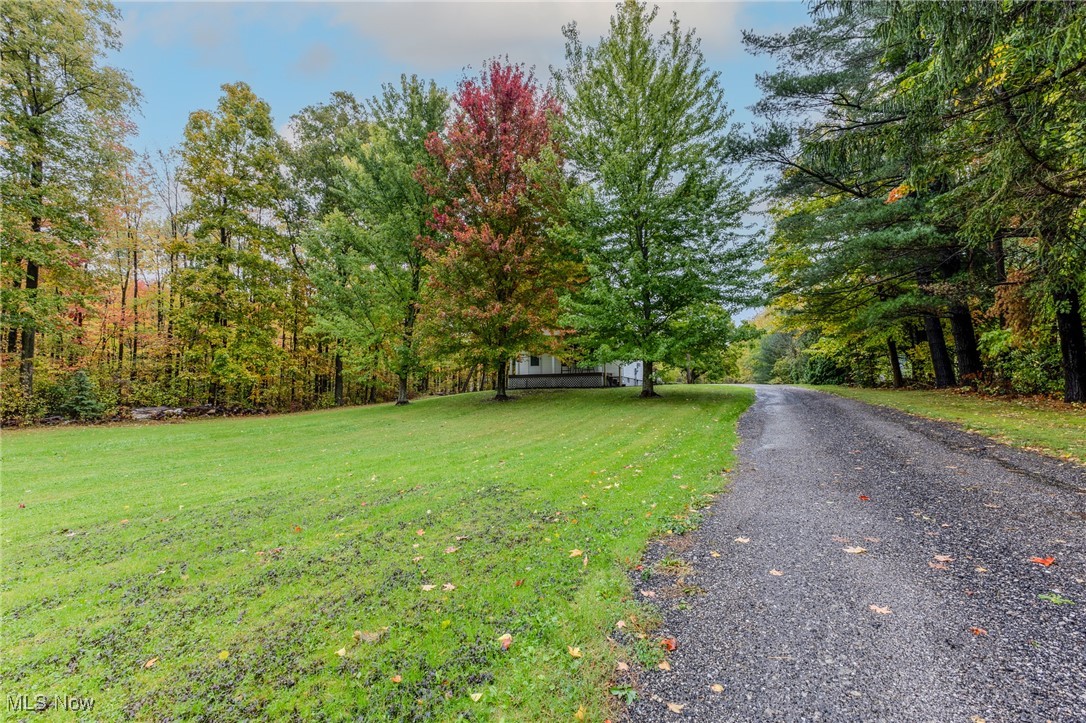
pixel 297 54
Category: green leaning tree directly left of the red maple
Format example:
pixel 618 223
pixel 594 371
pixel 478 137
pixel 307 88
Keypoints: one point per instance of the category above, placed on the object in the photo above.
pixel 369 261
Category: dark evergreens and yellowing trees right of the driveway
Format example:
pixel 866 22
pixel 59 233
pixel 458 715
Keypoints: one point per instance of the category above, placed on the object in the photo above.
pixel 931 206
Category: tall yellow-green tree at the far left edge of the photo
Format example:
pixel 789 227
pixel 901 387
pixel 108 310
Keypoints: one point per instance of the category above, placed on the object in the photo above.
pixel 62 115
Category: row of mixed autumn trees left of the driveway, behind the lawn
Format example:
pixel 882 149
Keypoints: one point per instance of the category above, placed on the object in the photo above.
pixel 412 243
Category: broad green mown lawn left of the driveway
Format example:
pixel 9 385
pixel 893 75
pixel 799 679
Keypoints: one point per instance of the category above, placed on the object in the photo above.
pixel 282 567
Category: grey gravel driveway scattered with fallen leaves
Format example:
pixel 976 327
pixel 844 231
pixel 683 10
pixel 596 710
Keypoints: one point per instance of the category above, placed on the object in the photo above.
pixel 941 618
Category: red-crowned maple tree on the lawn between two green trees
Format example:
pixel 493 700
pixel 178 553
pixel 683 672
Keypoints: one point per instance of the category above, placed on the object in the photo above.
pixel 498 258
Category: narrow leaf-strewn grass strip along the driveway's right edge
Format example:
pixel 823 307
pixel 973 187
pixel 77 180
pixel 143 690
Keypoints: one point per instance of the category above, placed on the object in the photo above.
pixel 1049 427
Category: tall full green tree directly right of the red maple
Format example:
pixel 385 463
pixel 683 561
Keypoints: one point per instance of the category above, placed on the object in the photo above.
pixel 648 136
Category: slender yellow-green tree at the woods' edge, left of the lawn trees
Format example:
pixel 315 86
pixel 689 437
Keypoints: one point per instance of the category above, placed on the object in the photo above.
pixel 237 286
